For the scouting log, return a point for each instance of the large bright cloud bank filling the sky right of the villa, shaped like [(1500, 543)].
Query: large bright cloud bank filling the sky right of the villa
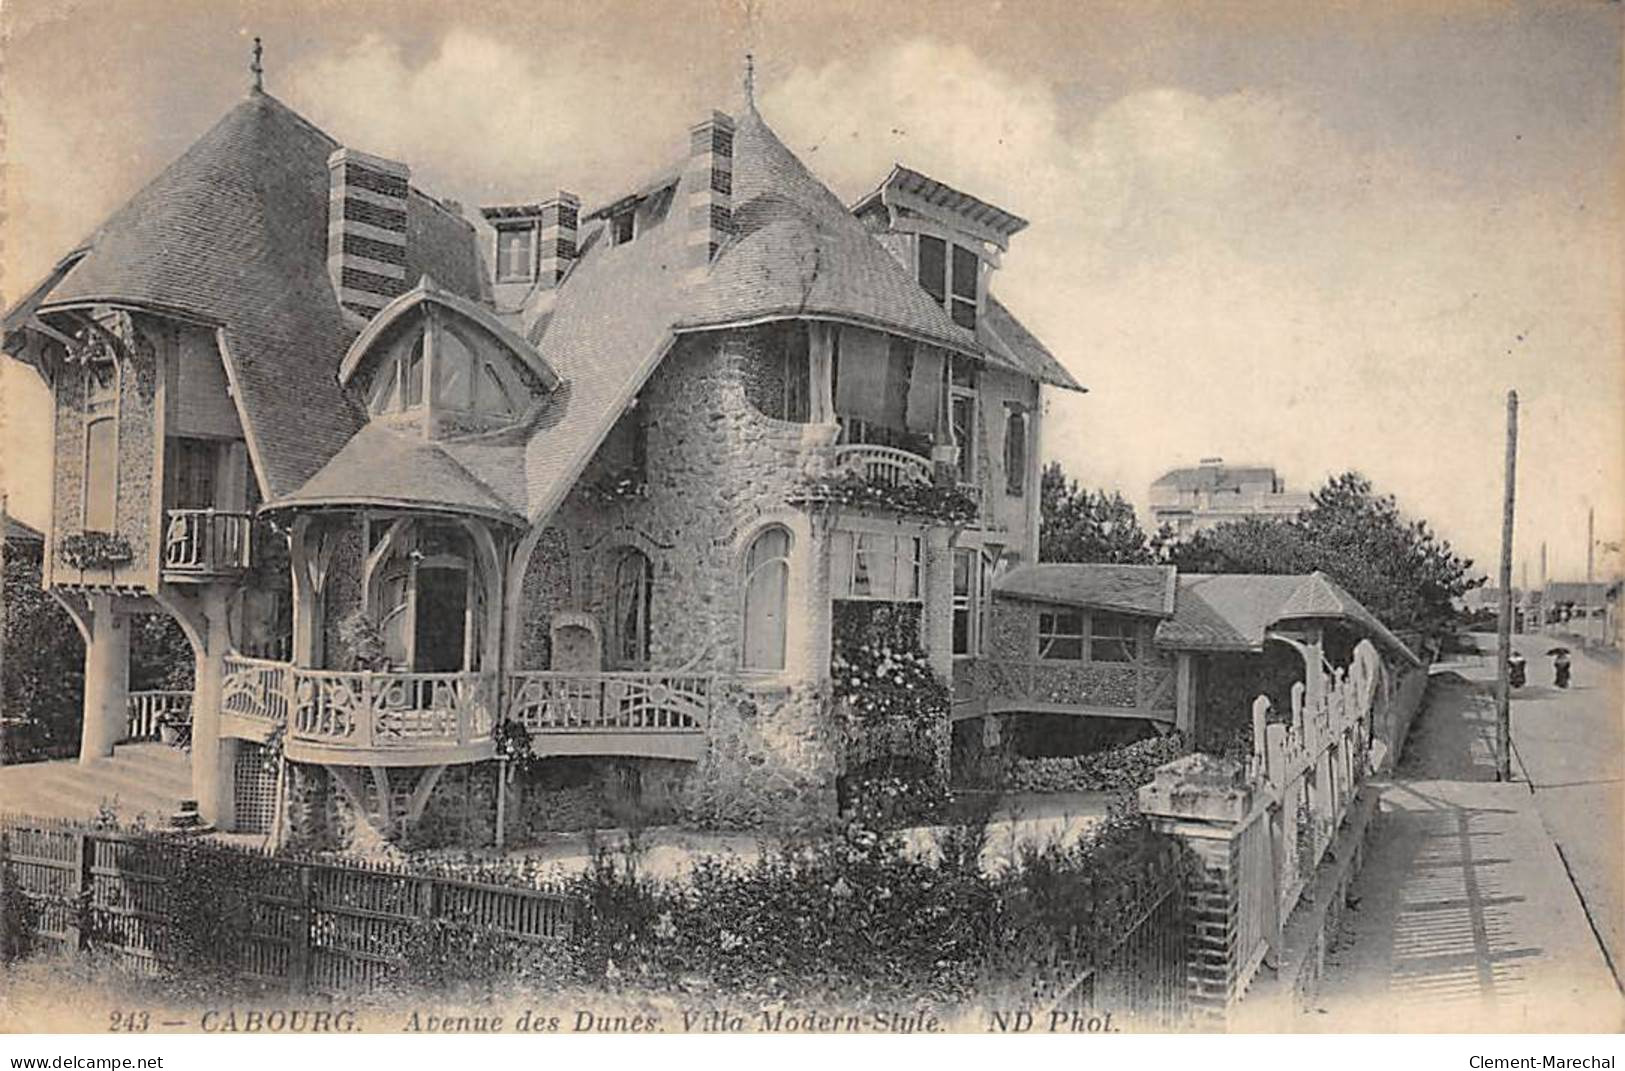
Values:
[(1231, 275)]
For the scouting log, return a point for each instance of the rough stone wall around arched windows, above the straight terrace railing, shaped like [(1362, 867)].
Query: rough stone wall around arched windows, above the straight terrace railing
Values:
[(717, 470)]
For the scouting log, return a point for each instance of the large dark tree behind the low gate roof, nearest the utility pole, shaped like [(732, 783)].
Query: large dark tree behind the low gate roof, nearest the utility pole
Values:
[(1398, 568)]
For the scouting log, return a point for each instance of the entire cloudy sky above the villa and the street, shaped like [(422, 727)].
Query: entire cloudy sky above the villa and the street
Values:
[(1317, 236)]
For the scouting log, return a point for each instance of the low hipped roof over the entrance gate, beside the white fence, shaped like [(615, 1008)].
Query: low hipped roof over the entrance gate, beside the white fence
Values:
[(1234, 612)]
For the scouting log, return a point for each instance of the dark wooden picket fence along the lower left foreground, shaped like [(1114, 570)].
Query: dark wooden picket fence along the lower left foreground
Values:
[(305, 926)]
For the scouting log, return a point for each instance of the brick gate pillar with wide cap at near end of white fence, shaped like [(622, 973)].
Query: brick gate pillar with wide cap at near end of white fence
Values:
[(1208, 805)]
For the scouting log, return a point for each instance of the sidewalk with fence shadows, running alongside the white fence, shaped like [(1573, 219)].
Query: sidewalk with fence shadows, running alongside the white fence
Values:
[(1465, 917)]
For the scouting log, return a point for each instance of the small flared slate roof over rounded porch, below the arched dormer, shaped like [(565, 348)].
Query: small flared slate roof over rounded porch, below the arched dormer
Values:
[(386, 467)]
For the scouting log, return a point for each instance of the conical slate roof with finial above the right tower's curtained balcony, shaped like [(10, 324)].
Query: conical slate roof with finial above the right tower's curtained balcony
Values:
[(799, 251)]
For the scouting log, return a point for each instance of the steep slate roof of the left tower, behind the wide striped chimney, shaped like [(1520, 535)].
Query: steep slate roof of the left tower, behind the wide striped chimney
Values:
[(235, 233)]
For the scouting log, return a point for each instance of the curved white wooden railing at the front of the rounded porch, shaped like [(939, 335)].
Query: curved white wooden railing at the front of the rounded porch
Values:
[(392, 711)]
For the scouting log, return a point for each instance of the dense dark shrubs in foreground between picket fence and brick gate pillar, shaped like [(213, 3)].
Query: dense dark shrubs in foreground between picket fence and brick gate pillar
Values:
[(857, 917)]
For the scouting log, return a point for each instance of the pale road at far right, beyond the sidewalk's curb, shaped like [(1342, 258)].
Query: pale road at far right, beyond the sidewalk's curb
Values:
[(1572, 750)]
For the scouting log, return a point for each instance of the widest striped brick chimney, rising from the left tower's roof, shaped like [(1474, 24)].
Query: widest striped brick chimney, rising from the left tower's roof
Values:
[(366, 230)]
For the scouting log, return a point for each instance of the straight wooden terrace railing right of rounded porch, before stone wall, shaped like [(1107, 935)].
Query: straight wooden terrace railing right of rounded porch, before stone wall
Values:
[(610, 703)]
